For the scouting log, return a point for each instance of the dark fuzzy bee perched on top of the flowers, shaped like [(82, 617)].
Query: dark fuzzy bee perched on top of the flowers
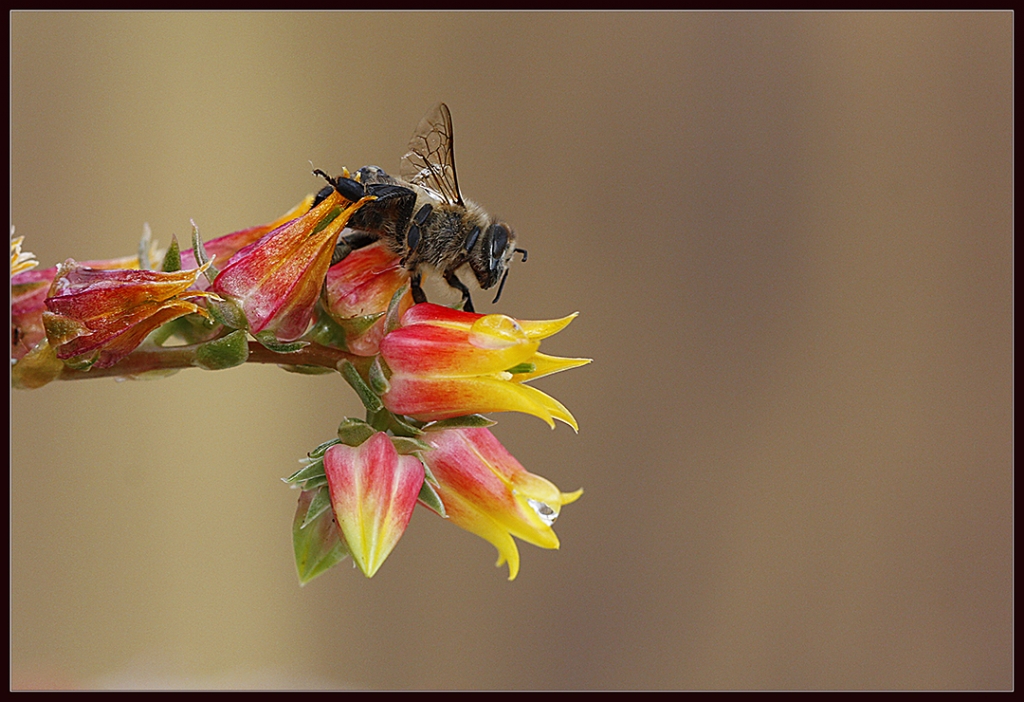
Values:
[(423, 217)]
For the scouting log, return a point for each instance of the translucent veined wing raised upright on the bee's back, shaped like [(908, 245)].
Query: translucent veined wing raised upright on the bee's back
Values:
[(431, 161)]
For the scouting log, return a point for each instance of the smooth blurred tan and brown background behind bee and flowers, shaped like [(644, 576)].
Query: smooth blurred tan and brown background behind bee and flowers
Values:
[(790, 239)]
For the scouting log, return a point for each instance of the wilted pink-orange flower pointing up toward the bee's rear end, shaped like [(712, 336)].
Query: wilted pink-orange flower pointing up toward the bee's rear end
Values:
[(276, 281)]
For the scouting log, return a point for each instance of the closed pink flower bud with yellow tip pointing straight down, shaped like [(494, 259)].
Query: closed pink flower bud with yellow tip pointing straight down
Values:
[(373, 493)]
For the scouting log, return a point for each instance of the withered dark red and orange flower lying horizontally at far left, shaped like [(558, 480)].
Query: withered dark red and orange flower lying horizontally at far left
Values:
[(96, 318)]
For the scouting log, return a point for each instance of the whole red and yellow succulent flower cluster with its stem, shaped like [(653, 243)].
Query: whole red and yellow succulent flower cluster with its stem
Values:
[(426, 374)]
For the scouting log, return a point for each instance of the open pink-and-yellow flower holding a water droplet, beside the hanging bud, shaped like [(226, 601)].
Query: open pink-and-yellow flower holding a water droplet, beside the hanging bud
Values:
[(487, 492)]
